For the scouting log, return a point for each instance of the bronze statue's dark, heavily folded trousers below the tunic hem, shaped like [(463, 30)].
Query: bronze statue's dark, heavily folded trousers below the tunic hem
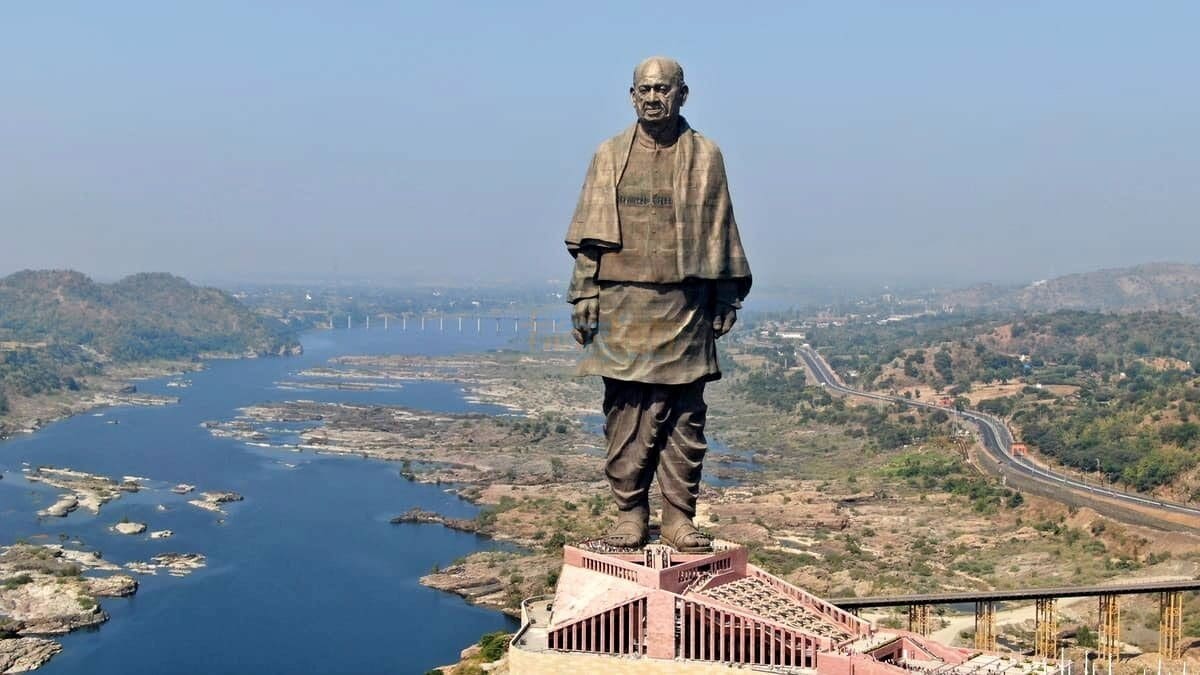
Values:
[(655, 429)]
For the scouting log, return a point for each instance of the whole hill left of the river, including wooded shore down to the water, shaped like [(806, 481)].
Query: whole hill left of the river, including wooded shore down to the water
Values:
[(59, 328)]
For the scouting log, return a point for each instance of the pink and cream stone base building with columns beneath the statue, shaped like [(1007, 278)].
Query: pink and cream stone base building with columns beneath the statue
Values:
[(658, 611)]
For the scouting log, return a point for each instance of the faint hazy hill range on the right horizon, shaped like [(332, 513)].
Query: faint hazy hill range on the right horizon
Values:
[(1147, 288)]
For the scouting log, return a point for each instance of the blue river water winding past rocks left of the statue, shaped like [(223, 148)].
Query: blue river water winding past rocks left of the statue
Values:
[(305, 576)]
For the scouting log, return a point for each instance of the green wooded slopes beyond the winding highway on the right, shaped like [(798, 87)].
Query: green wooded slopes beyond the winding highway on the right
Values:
[(1133, 413)]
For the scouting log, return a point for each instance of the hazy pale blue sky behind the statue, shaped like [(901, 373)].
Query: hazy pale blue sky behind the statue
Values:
[(892, 144)]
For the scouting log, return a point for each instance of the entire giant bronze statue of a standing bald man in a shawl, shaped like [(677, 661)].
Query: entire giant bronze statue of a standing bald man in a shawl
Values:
[(659, 277)]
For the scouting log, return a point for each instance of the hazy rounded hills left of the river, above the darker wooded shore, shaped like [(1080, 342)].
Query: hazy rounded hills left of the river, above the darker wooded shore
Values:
[(145, 316)]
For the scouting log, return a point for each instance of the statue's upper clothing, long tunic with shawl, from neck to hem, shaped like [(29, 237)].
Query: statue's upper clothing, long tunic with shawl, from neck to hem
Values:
[(661, 253)]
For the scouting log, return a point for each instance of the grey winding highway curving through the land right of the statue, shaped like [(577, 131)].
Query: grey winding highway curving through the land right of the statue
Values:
[(998, 444)]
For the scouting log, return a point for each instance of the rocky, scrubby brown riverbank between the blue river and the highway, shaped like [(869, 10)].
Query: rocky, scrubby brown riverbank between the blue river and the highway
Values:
[(817, 509)]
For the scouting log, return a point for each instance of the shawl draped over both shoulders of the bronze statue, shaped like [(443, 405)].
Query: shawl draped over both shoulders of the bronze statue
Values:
[(710, 246)]
